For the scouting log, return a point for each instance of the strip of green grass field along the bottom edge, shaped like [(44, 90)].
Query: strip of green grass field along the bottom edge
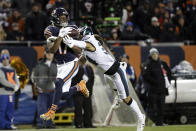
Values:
[(147, 128)]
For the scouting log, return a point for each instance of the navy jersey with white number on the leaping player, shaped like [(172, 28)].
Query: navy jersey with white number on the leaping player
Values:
[(64, 54)]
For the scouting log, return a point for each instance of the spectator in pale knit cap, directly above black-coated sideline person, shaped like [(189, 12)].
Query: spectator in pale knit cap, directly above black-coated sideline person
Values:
[(154, 29)]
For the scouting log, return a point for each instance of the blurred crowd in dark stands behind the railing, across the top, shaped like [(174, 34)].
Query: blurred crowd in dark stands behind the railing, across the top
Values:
[(160, 20)]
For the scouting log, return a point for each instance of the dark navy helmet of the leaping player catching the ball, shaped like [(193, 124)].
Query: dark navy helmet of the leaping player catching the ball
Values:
[(57, 17)]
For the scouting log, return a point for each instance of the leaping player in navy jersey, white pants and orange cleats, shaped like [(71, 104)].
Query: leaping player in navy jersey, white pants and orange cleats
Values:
[(67, 66)]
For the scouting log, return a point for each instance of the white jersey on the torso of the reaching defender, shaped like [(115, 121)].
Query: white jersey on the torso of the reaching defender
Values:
[(100, 56)]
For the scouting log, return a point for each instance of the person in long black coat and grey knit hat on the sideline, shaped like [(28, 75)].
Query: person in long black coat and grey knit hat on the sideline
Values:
[(153, 74)]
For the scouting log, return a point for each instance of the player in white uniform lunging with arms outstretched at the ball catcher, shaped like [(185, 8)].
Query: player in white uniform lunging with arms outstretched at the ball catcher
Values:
[(97, 54)]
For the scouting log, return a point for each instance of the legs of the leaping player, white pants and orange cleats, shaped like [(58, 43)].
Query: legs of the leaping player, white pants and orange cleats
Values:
[(63, 83)]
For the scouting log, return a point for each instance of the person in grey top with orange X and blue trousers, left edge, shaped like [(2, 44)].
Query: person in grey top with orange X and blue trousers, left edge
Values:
[(9, 84)]
